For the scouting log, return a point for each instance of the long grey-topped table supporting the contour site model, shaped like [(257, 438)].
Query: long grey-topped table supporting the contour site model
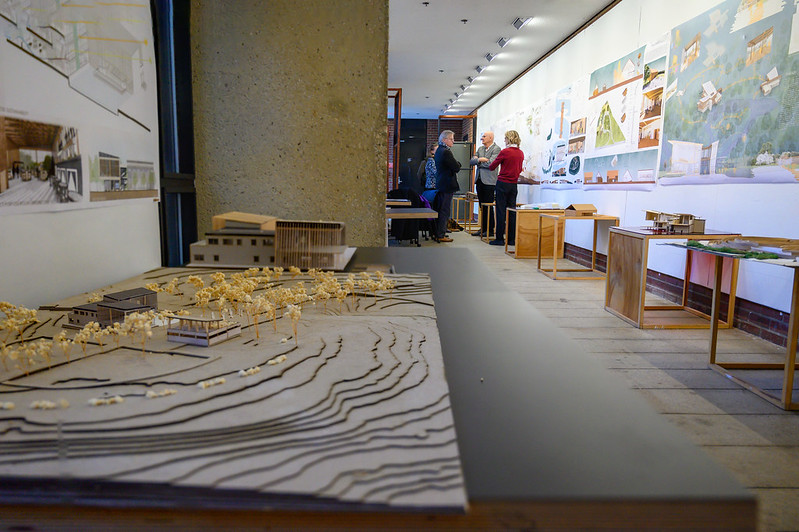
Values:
[(548, 438)]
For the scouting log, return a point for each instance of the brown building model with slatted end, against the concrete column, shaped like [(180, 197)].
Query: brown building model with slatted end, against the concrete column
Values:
[(242, 240)]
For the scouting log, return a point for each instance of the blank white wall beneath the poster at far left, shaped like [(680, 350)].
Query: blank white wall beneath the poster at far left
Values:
[(45, 257)]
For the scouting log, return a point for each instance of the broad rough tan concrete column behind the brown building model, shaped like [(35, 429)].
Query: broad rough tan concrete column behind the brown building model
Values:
[(290, 110)]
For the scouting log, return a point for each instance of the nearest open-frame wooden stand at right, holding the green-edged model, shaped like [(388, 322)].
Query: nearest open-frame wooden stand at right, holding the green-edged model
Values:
[(785, 400)]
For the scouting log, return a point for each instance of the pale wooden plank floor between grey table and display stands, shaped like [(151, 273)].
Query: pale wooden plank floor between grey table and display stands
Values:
[(756, 441)]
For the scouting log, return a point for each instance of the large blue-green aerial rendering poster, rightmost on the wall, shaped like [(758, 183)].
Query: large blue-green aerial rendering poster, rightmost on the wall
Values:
[(731, 108)]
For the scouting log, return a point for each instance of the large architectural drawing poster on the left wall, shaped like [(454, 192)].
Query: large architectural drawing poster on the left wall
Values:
[(78, 105)]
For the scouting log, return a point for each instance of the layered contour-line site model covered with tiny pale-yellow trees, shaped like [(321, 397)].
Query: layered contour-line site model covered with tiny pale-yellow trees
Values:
[(354, 415)]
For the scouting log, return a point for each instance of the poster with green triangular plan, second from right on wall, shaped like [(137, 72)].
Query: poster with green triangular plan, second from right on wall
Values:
[(624, 121)]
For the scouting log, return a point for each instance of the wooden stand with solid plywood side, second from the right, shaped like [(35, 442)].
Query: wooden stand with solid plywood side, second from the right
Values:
[(625, 290)]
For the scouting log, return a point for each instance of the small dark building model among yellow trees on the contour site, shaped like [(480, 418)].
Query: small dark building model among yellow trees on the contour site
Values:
[(113, 308)]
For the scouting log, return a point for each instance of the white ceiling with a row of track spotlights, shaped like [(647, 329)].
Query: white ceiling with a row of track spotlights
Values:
[(432, 51)]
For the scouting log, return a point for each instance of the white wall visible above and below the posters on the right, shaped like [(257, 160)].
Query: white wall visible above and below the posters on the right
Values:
[(756, 209)]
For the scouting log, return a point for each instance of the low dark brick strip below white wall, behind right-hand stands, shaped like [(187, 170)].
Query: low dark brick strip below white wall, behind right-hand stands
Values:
[(758, 320)]
